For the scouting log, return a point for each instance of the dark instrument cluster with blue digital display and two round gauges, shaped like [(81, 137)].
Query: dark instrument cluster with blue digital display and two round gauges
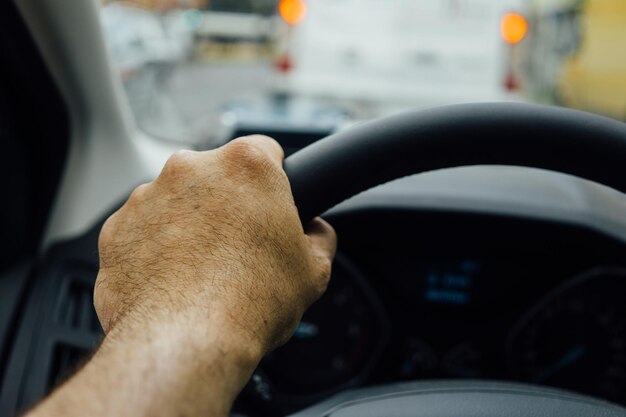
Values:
[(442, 295)]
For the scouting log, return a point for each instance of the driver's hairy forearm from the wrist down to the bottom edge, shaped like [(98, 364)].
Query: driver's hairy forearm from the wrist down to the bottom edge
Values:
[(167, 367)]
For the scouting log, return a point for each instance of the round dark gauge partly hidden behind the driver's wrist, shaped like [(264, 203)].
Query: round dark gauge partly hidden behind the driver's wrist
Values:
[(336, 342)]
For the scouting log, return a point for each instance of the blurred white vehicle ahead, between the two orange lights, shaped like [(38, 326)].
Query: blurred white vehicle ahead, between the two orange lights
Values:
[(417, 52)]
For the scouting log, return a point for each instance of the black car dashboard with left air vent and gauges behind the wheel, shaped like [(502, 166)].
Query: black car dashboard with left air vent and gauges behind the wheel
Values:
[(420, 290)]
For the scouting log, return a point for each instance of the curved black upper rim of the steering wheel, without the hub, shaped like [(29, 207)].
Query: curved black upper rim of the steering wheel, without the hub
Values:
[(557, 139)]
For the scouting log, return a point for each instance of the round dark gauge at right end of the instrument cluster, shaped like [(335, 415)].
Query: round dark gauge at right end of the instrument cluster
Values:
[(576, 337)]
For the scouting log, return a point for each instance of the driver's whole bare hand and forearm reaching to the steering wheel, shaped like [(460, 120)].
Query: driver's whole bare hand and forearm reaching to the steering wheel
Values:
[(202, 271)]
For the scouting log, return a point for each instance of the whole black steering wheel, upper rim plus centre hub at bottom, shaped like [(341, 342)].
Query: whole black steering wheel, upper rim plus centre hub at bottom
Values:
[(342, 165)]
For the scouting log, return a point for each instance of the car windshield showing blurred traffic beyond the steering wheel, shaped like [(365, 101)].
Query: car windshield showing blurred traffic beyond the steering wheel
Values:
[(195, 71)]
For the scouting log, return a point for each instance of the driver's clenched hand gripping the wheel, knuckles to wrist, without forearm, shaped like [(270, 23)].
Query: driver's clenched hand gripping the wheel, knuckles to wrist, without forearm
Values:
[(216, 232)]
